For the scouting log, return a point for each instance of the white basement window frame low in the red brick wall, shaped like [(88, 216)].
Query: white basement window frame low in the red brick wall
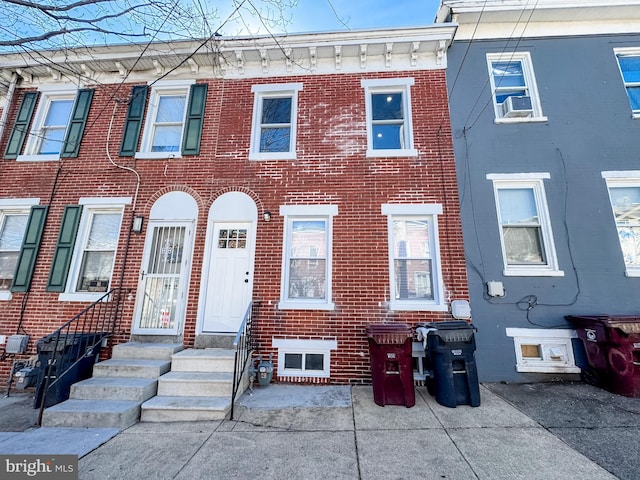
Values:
[(289, 350)]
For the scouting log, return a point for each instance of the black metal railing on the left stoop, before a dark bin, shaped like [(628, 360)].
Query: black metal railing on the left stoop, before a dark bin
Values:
[(76, 340)]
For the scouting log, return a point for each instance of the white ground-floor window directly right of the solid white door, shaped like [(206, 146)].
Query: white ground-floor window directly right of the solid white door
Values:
[(306, 272)]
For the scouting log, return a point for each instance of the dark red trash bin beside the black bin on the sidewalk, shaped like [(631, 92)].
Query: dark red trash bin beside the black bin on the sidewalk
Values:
[(390, 350)]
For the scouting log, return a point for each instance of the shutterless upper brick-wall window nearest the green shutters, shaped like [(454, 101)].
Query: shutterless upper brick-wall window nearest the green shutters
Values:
[(274, 126)]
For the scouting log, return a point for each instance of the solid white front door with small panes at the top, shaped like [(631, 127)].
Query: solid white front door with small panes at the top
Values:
[(230, 281)]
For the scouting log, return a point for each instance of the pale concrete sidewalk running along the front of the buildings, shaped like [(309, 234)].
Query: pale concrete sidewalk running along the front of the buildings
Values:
[(319, 432)]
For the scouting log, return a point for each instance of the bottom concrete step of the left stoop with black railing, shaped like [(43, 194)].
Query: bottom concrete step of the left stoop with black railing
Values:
[(89, 413)]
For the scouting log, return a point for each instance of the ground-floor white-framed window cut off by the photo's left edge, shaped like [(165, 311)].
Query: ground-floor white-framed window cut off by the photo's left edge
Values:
[(14, 215)]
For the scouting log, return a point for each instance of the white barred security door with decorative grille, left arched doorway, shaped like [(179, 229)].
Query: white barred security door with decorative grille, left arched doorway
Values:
[(162, 290)]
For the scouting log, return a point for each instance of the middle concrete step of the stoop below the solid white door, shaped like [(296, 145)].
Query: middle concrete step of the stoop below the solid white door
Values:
[(195, 384)]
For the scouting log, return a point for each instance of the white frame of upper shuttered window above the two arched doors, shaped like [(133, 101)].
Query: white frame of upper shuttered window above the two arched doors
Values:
[(158, 90)]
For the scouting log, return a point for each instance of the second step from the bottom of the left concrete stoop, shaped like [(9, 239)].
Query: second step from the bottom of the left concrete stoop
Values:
[(115, 388)]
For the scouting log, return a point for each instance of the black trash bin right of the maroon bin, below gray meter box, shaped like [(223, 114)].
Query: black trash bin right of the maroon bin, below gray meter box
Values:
[(451, 360)]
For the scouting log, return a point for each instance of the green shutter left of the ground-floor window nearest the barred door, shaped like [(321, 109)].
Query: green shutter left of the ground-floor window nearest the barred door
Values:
[(64, 248)]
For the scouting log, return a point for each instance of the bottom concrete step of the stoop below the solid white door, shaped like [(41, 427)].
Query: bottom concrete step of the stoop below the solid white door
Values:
[(185, 409)]
